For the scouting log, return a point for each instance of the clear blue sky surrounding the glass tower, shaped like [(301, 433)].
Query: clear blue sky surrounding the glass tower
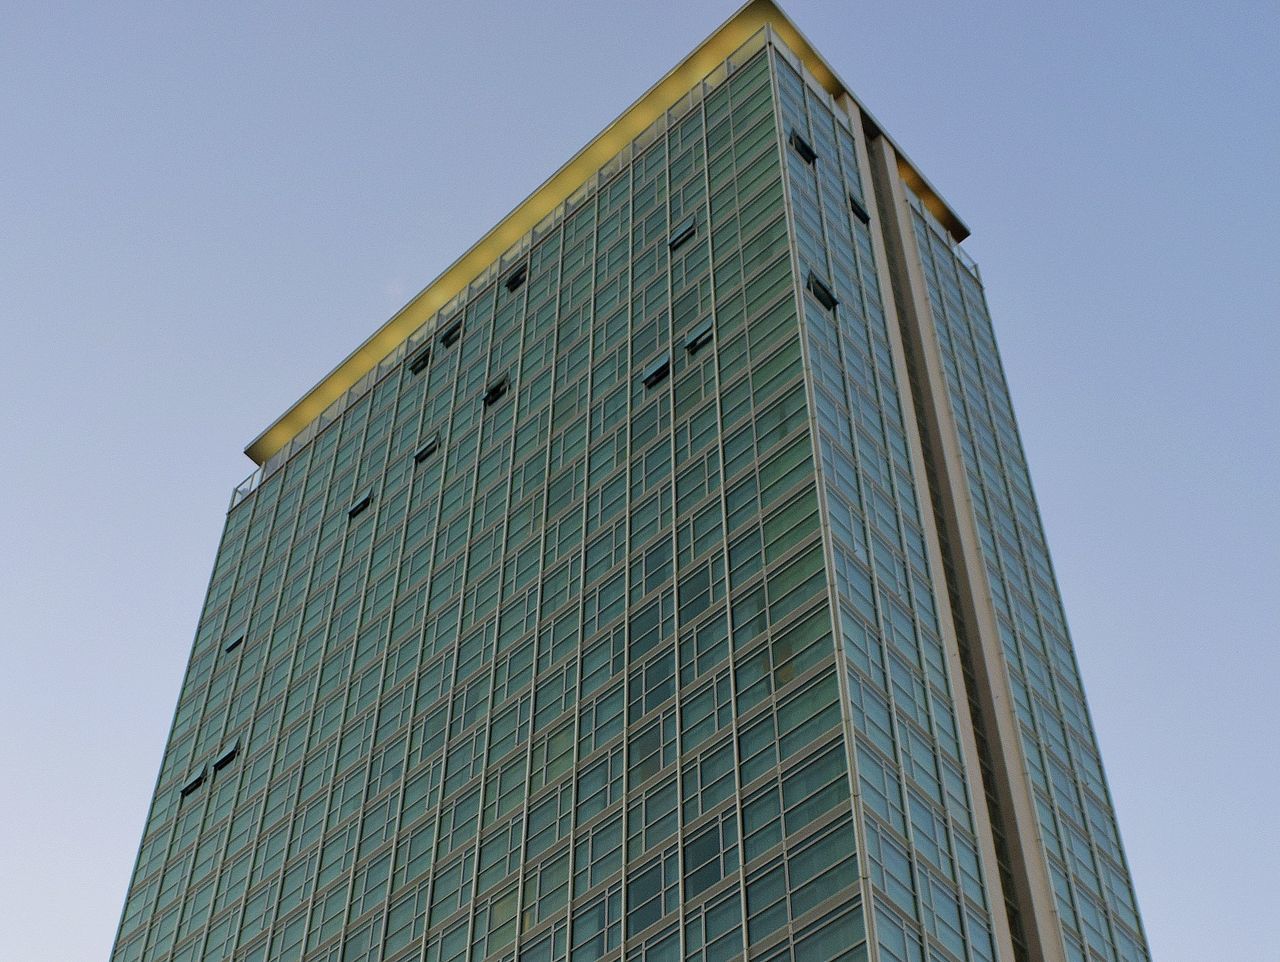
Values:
[(204, 208)]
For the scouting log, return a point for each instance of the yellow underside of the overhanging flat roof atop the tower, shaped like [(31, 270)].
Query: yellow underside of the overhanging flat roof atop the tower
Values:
[(561, 186)]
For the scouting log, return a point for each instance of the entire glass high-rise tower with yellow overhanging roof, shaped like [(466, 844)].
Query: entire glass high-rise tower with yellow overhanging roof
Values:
[(664, 583)]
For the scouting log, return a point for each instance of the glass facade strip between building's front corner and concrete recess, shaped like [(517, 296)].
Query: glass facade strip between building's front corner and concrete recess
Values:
[(915, 800)]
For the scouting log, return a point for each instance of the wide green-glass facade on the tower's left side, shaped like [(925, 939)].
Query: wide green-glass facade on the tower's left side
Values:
[(551, 671)]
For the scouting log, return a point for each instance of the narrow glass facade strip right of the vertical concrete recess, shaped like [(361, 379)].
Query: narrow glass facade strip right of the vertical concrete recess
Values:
[(1078, 828)]
